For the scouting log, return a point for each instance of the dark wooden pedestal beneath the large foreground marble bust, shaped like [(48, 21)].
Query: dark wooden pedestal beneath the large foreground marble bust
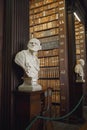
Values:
[(27, 106)]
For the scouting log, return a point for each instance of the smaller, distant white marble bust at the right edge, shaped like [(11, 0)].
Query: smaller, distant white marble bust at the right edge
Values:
[(79, 70)]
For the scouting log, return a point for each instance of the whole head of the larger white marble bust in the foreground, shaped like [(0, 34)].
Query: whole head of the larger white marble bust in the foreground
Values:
[(34, 45)]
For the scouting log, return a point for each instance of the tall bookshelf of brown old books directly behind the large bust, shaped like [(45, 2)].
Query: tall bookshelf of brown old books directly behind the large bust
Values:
[(47, 22)]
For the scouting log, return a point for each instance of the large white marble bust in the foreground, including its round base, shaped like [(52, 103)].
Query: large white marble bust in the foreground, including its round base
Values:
[(28, 60)]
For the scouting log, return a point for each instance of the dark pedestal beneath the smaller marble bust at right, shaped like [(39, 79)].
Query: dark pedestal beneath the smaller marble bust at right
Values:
[(77, 115)]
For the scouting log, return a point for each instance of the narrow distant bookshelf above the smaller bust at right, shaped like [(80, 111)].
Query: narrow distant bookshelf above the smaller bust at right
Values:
[(79, 39)]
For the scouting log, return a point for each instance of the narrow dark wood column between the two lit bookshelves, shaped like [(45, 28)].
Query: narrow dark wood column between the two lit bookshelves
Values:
[(71, 55)]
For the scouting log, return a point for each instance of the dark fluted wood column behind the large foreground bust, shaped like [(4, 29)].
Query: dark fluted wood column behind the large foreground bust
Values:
[(15, 39)]
